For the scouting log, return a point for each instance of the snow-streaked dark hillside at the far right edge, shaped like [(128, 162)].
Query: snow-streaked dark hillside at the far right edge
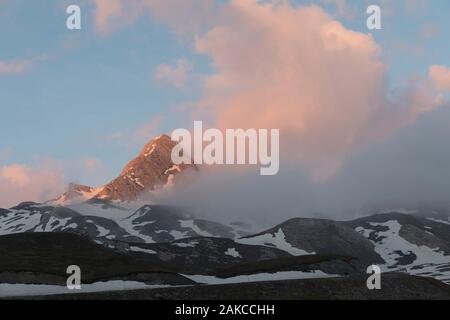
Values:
[(413, 244)]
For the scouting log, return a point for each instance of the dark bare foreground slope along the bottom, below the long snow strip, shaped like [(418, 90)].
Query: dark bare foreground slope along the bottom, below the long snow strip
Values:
[(395, 286)]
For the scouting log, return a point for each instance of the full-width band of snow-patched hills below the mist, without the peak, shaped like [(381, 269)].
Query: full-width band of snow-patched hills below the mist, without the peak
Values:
[(395, 241)]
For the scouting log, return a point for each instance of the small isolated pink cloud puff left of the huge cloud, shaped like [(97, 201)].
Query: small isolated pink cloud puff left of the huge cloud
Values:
[(176, 76)]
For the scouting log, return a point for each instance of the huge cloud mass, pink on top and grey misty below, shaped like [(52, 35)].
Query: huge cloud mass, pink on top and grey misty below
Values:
[(349, 141)]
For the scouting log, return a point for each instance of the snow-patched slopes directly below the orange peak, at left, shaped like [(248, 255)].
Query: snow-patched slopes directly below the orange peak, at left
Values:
[(103, 221)]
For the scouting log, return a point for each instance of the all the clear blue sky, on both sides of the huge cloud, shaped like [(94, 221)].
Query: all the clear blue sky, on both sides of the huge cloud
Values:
[(84, 88)]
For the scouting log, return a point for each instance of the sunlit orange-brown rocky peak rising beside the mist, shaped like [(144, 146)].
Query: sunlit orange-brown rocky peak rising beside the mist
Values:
[(149, 171)]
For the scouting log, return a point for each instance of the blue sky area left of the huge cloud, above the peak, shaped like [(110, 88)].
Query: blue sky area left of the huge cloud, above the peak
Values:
[(74, 97)]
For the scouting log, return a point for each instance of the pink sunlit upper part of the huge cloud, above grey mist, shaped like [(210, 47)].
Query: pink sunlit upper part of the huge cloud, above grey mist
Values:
[(299, 70)]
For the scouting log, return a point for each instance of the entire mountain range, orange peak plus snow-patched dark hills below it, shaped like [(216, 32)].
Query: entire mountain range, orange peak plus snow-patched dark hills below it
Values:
[(115, 234)]
